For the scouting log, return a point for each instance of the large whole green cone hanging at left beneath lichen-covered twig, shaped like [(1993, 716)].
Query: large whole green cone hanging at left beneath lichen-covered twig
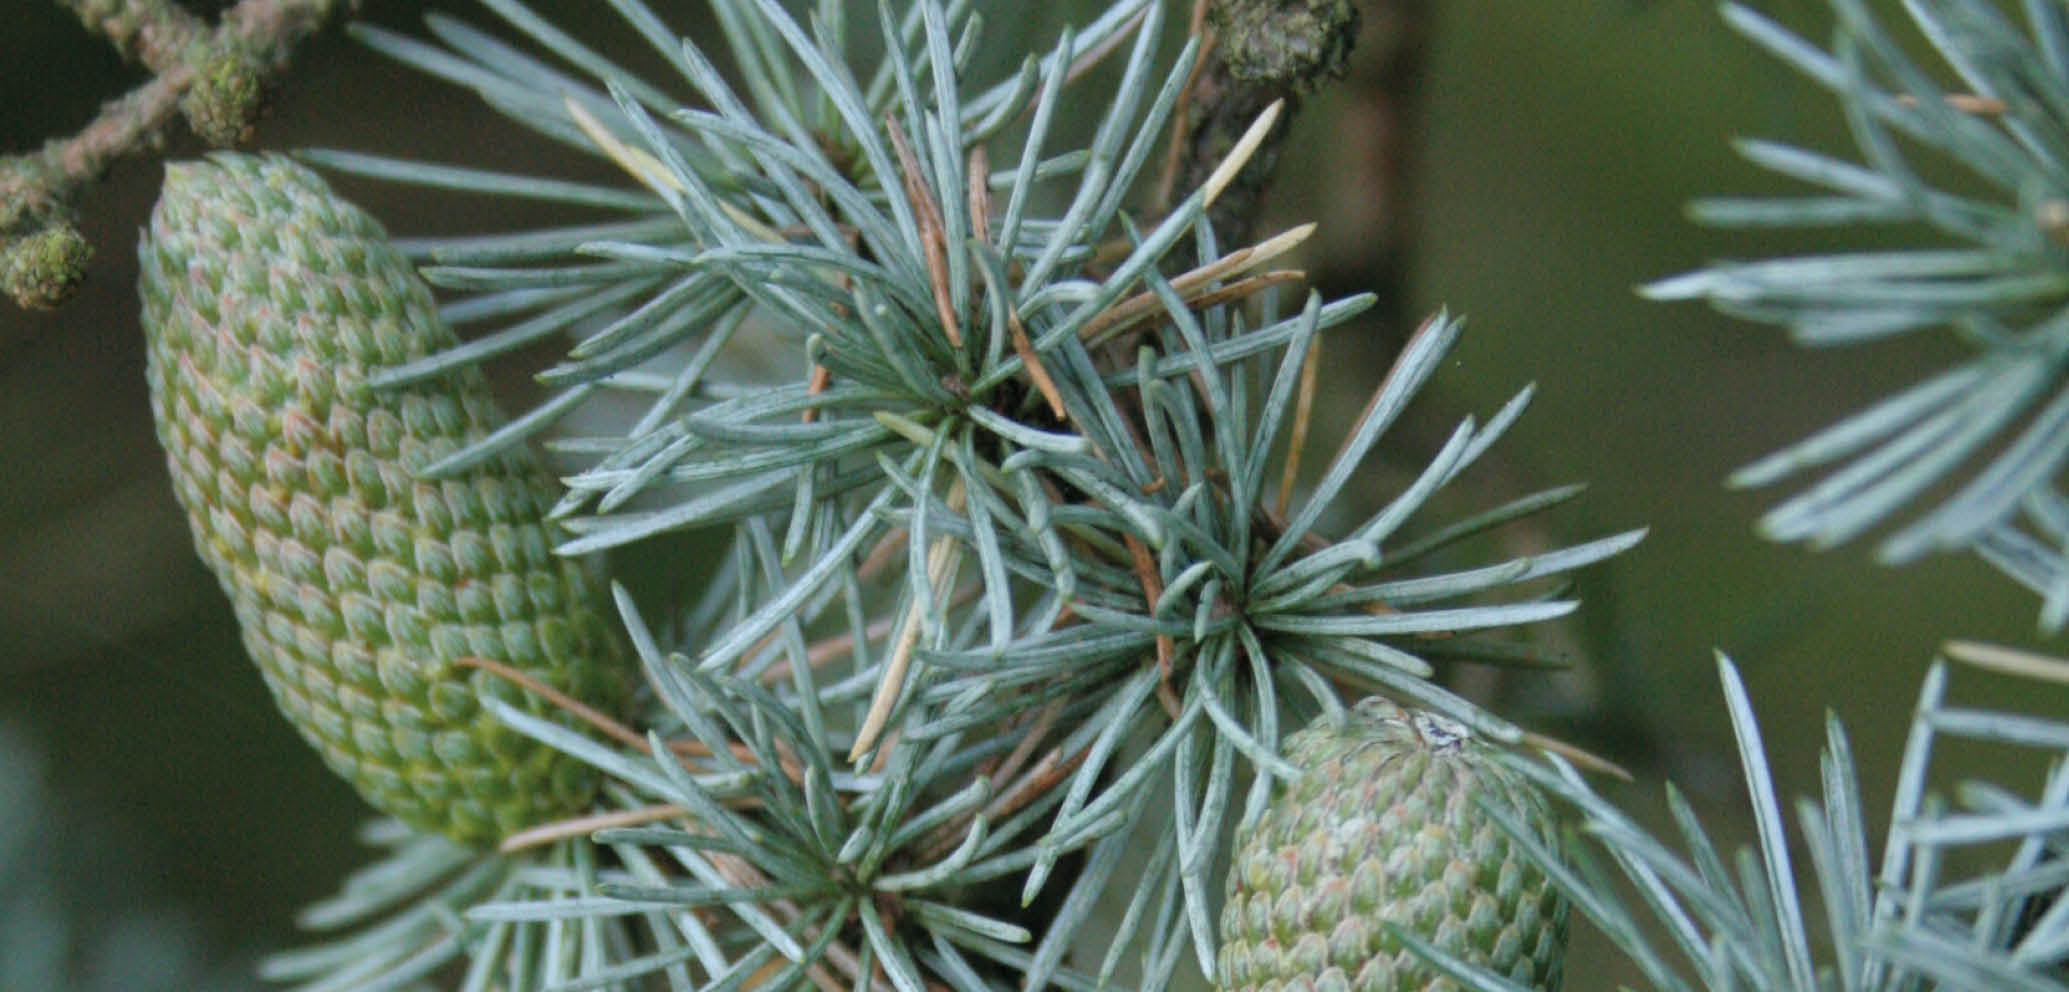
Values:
[(268, 303)]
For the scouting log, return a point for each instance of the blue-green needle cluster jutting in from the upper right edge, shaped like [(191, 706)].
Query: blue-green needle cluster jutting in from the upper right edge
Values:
[(1989, 268)]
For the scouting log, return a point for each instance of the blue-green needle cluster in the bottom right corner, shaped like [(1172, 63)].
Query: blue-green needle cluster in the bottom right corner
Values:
[(1965, 894)]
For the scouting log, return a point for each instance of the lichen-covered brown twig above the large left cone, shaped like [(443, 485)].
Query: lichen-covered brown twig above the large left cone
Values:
[(212, 78)]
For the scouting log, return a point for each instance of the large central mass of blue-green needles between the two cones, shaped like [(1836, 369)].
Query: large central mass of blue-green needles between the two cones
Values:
[(1021, 575)]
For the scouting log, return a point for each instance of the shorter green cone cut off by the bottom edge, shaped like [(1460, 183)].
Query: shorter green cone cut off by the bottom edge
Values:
[(1387, 827)]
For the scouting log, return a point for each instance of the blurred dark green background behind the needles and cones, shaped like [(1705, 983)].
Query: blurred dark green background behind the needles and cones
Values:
[(1555, 152)]
